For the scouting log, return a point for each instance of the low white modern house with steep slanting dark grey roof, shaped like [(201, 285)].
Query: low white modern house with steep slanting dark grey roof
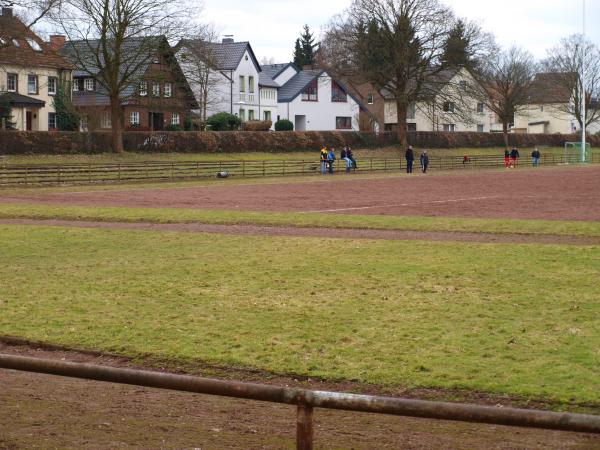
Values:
[(313, 100)]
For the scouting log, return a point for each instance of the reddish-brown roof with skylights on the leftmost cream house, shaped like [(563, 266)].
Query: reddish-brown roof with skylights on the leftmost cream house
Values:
[(12, 31)]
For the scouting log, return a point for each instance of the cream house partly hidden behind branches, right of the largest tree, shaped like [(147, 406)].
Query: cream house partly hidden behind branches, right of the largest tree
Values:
[(452, 110)]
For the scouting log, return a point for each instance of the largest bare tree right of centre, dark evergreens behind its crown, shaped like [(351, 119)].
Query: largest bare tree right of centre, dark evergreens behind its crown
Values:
[(397, 46)]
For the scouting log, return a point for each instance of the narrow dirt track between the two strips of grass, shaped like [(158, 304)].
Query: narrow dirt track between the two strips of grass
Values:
[(337, 233)]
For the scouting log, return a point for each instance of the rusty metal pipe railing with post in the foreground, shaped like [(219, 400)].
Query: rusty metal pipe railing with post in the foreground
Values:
[(307, 400)]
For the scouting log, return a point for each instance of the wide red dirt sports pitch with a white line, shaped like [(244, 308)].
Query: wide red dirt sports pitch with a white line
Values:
[(564, 193)]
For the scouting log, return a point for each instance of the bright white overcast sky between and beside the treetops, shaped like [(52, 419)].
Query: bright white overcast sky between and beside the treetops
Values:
[(272, 26)]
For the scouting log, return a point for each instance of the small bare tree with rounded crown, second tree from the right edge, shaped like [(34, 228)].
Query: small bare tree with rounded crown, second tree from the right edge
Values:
[(504, 84)]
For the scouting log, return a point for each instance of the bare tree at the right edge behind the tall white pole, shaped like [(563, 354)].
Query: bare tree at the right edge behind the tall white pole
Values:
[(570, 60)]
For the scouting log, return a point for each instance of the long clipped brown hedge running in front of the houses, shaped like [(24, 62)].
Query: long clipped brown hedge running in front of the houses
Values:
[(39, 142)]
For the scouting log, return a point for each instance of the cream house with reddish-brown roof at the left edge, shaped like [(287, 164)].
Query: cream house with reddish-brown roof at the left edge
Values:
[(31, 72)]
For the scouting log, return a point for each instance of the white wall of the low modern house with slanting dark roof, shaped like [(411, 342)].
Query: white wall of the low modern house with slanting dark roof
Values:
[(321, 115)]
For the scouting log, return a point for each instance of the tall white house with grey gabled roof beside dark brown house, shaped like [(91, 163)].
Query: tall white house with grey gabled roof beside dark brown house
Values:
[(226, 77)]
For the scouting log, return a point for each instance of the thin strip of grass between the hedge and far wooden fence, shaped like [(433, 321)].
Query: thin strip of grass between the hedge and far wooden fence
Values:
[(389, 152)]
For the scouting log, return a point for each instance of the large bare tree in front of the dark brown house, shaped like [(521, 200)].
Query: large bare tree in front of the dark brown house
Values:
[(114, 40)]
